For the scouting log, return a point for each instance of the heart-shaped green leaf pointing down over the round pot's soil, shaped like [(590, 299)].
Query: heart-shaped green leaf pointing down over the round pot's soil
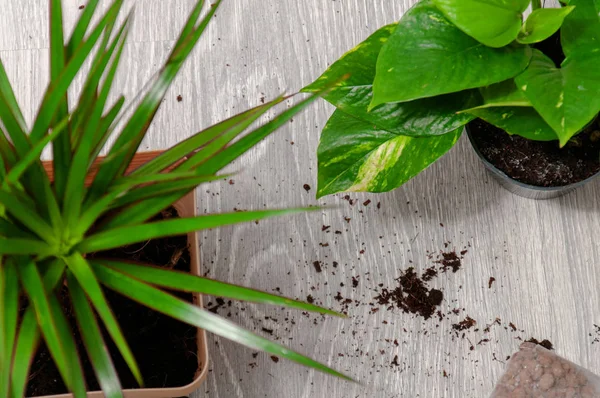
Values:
[(567, 97)]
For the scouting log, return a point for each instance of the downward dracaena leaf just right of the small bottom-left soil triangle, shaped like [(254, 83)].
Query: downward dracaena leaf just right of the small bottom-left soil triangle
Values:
[(32, 283)]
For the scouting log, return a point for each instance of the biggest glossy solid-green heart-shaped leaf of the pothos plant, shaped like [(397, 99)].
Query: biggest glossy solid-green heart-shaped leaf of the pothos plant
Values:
[(426, 56)]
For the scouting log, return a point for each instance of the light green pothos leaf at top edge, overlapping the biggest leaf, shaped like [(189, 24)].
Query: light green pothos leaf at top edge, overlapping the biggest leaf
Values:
[(494, 23)]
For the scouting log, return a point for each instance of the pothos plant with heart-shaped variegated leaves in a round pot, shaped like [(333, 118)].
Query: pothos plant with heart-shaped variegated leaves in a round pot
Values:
[(529, 110)]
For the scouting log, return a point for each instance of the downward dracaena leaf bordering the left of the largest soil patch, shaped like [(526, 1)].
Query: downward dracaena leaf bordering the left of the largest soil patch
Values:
[(85, 276)]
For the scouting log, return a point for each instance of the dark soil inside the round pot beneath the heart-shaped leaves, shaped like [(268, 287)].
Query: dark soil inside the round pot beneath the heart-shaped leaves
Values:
[(539, 163)]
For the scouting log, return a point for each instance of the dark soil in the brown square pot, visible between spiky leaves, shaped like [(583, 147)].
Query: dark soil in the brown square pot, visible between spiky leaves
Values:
[(165, 349)]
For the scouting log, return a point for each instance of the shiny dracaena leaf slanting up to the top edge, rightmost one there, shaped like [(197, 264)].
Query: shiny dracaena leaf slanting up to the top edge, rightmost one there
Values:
[(135, 129)]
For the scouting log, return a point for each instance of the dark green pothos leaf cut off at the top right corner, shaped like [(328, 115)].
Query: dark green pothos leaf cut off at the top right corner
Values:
[(581, 28)]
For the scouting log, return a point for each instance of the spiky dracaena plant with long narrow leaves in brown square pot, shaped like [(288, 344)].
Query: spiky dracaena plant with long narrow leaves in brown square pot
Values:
[(62, 227)]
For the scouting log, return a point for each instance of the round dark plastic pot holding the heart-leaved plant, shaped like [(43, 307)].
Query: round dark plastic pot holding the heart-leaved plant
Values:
[(521, 189)]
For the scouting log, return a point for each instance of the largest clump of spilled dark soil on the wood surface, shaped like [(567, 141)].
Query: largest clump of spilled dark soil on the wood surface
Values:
[(412, 295)]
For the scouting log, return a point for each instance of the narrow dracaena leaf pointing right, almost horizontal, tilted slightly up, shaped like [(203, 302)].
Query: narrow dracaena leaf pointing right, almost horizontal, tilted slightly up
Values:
[(139, 233)]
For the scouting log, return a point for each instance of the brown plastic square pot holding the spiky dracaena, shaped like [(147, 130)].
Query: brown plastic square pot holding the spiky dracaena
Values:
[(186, 207)]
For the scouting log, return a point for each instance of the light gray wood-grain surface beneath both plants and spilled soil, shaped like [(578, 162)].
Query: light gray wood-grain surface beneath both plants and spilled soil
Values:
[(544, 255)]
